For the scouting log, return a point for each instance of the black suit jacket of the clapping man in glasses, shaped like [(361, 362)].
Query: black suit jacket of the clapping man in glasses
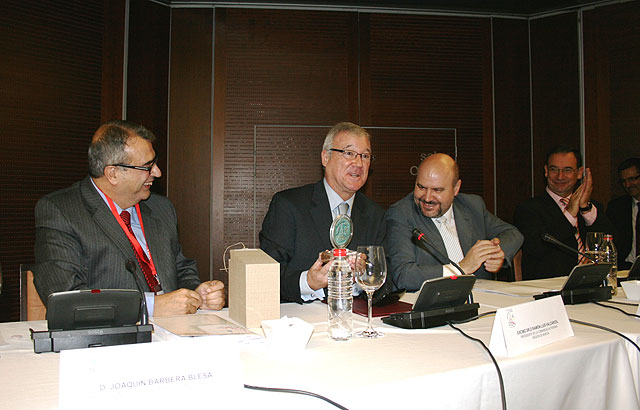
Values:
[(539, 215)]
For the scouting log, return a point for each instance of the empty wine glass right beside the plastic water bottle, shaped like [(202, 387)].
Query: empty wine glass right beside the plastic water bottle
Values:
[(371, 272)]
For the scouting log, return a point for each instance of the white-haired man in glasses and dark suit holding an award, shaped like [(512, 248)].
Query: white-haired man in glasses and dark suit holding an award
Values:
[(295, 230)]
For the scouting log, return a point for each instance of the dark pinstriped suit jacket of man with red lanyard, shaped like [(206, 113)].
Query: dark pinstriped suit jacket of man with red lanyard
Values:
[(79, 244)]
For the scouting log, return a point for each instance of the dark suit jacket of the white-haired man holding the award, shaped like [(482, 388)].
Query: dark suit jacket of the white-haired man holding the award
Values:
[(296, 229)]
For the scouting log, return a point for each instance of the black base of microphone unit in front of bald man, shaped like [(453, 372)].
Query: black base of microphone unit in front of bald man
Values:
[(432, 318)]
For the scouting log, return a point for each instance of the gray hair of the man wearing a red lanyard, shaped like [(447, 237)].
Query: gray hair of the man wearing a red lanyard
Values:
[(109, 142)]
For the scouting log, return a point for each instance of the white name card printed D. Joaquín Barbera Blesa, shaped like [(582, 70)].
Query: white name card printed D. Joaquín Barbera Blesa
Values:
[(175, 374)]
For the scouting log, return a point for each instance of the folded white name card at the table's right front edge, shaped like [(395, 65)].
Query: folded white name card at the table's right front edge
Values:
[(521, 328)]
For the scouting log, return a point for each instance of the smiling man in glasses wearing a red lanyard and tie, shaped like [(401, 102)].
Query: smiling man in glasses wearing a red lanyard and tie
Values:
[(90, 234)]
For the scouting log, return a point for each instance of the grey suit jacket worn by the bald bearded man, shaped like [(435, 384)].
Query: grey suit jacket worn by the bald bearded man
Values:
[(410, 265)]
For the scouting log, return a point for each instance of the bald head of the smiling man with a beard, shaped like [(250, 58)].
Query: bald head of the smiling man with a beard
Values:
[(437, 184)]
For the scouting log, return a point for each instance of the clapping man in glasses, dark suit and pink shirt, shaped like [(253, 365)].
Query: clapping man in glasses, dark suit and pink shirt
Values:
[(563, 211)]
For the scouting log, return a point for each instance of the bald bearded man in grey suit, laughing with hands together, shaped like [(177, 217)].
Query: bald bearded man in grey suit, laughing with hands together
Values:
[(458, 225)]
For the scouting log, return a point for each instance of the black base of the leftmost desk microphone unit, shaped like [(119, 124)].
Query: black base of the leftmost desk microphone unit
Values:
[(57, 340)]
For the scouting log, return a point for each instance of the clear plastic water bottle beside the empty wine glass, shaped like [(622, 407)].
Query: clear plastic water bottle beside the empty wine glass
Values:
[(340, 297)]
